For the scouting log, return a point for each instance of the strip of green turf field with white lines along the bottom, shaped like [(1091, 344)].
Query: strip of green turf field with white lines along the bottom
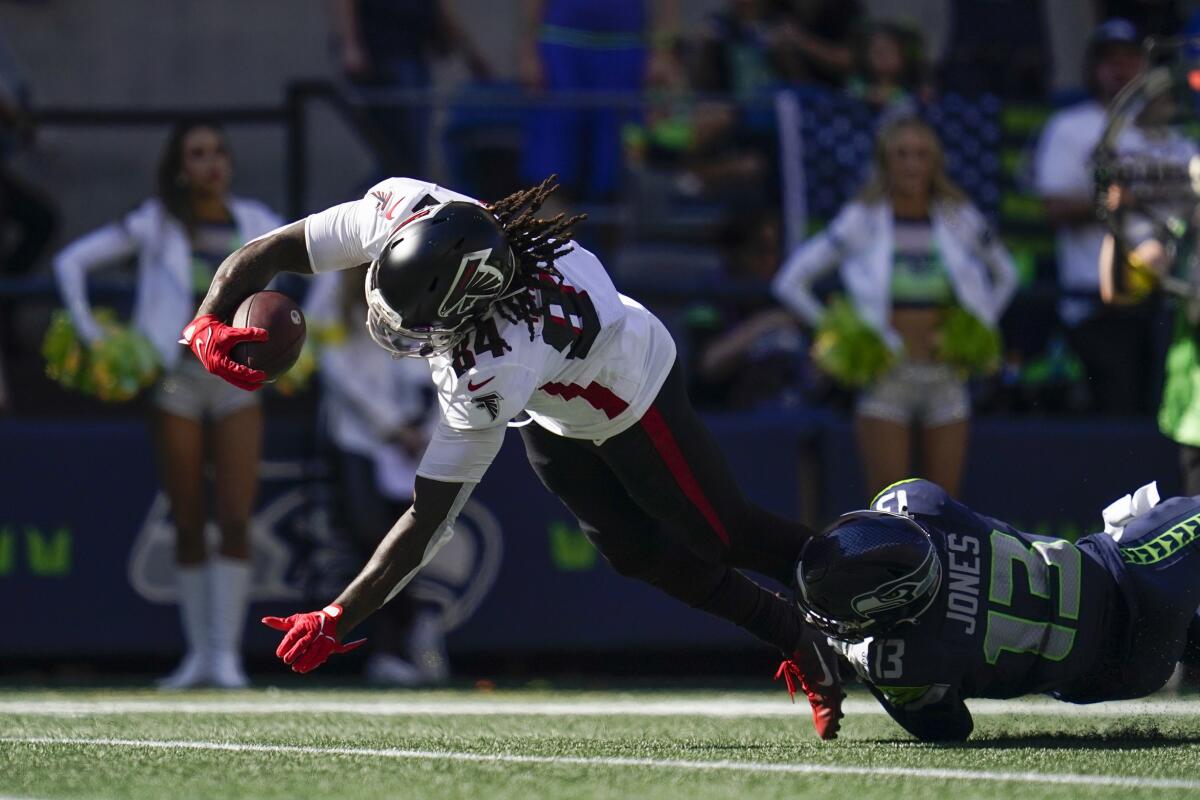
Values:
[(529, 744)]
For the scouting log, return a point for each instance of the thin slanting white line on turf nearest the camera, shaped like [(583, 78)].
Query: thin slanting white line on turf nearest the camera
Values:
[(604, 762)]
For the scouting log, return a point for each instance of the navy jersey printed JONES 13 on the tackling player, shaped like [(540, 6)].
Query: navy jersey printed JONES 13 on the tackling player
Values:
[(1016, 615)]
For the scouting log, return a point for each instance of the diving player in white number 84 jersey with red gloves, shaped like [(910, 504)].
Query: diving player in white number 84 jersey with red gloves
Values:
[(515, 318)]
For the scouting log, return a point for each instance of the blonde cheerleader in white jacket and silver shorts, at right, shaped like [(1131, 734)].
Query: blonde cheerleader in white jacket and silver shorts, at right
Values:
[(910, 248)]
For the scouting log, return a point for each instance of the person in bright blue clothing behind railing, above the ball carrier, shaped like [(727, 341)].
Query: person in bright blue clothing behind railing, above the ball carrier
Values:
[(581, 46)]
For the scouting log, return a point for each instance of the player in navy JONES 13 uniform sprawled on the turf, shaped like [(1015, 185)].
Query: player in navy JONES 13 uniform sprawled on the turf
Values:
[(933, 604)]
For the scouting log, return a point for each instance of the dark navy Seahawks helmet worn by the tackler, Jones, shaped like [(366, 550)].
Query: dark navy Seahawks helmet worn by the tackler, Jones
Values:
[(866, 574)]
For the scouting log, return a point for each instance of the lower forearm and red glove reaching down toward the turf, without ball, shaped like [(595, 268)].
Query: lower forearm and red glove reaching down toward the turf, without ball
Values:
[(309, 640)]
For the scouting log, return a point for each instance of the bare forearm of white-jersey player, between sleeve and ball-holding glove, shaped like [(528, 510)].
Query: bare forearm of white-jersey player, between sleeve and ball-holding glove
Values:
[(250, 268)]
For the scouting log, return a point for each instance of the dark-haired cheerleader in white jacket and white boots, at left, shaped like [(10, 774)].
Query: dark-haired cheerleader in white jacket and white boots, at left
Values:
[(200, 423)]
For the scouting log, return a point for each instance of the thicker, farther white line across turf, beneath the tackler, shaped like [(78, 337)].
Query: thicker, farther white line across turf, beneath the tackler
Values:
[(713, 707)]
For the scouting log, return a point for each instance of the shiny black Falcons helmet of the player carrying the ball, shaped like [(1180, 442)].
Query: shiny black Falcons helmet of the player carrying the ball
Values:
[(440, 272)]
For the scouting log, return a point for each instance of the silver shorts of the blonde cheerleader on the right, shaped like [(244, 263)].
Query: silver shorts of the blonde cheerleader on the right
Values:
[(932, 395)]
